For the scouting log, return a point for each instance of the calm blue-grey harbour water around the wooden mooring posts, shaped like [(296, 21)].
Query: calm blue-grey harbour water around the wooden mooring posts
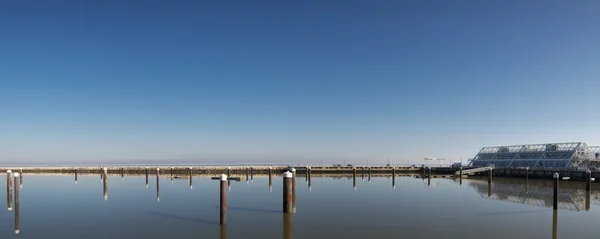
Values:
[(54, 206)]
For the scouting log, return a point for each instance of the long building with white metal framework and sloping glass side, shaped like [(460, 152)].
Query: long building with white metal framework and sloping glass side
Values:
[(574, 155)]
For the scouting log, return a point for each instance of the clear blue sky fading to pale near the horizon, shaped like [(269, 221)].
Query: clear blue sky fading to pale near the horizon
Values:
[(264, 81)]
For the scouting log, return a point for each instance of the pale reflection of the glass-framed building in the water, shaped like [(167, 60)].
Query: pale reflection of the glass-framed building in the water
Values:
[(571, 196)]
